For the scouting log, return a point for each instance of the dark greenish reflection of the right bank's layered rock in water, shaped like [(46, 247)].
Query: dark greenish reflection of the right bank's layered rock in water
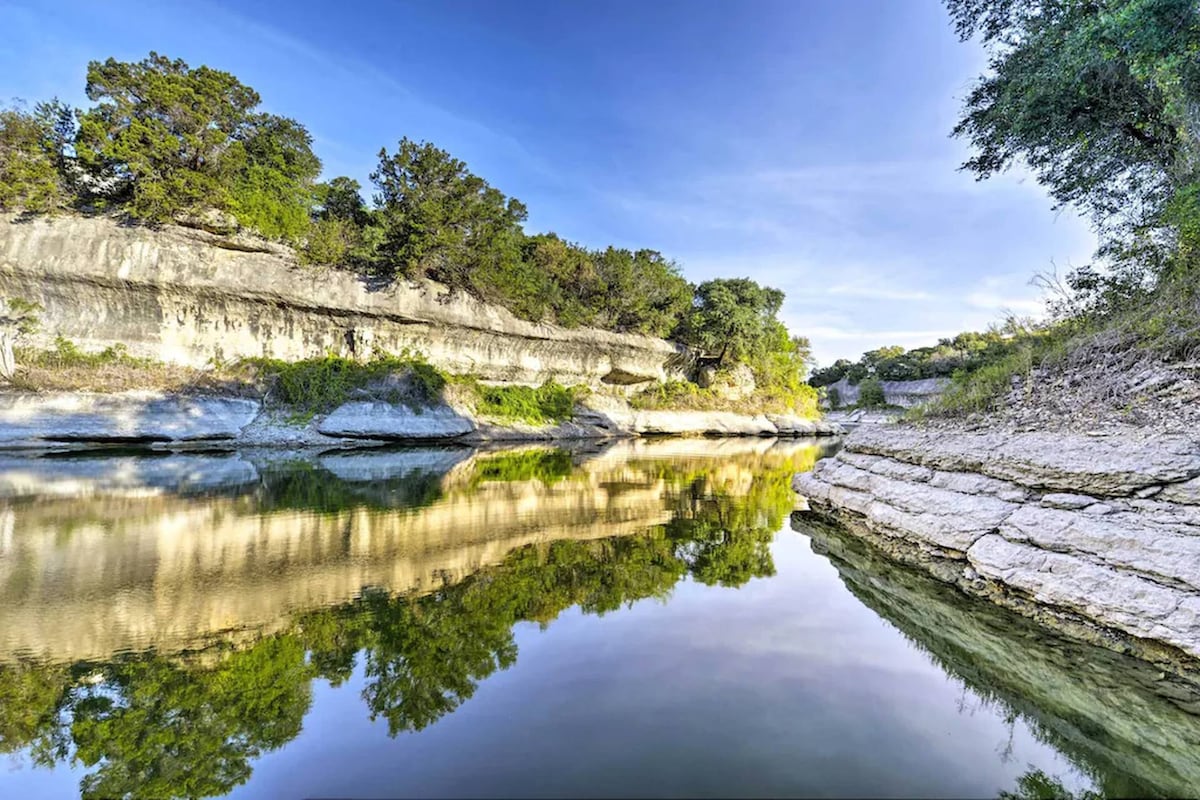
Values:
[(1133, 730)]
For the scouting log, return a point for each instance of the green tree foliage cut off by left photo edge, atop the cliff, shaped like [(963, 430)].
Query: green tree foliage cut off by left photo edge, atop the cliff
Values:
[(32, 169)]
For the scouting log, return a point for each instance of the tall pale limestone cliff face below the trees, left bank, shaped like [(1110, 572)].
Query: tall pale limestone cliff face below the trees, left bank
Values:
[(187, 297)]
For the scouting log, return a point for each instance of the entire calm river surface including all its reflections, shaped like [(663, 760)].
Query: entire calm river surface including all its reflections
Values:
[(645, 619)]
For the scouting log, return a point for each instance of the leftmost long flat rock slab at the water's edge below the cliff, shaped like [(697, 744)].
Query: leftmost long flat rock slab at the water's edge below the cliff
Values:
[(127, 417)]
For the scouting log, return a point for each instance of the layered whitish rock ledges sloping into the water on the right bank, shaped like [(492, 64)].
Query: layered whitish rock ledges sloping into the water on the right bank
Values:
[(1101, 528)]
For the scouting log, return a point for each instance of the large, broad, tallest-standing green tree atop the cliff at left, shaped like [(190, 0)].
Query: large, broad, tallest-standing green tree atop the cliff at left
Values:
[(172, 140)]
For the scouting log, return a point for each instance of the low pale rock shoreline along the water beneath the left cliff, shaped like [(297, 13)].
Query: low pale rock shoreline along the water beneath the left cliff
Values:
[(70, 419)]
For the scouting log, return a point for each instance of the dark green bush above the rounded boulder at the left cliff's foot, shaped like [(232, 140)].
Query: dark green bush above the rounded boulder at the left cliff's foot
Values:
[(319, 386)]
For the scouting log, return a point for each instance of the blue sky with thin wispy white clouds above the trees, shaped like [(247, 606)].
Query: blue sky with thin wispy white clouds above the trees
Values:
[(800, 143)]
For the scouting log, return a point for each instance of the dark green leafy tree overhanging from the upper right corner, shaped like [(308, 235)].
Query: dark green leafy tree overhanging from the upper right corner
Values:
[(1100, 99)]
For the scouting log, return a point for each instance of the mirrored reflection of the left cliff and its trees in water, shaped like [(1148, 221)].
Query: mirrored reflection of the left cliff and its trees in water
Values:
[(164, 618)]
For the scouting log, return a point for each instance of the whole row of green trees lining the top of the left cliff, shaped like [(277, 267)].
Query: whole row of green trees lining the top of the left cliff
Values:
[(165, 142)]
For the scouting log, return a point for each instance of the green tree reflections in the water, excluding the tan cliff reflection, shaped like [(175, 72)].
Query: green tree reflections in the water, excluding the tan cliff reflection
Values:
[(191, 725)]
